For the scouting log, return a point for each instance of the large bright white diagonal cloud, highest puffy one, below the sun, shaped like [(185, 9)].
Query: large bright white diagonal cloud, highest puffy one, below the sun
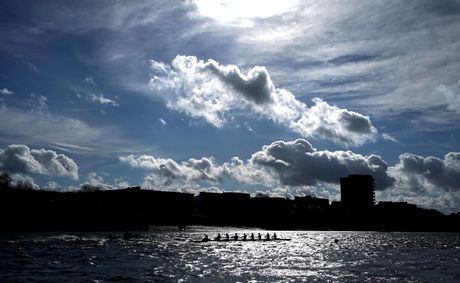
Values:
[(211, 91)]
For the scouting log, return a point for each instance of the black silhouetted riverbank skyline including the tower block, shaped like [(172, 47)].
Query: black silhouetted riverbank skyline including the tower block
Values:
[(24, 209)]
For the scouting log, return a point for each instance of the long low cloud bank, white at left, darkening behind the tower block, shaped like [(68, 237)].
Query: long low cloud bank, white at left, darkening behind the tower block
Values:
[(294, 163)]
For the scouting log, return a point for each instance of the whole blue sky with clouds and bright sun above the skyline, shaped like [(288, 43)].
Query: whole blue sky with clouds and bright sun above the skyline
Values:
[(280, 98)]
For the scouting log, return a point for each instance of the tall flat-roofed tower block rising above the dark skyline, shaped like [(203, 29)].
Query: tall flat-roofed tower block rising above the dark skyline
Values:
[(357, 191)]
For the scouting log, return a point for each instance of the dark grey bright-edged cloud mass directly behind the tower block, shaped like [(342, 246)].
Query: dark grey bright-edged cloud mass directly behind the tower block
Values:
[(297, 163)]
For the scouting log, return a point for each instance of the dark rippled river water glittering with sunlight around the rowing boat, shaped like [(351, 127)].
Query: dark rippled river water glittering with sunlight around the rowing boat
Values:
[(169, 256)]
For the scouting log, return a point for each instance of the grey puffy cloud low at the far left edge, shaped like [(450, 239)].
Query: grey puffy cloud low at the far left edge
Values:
[(18, 158)]
